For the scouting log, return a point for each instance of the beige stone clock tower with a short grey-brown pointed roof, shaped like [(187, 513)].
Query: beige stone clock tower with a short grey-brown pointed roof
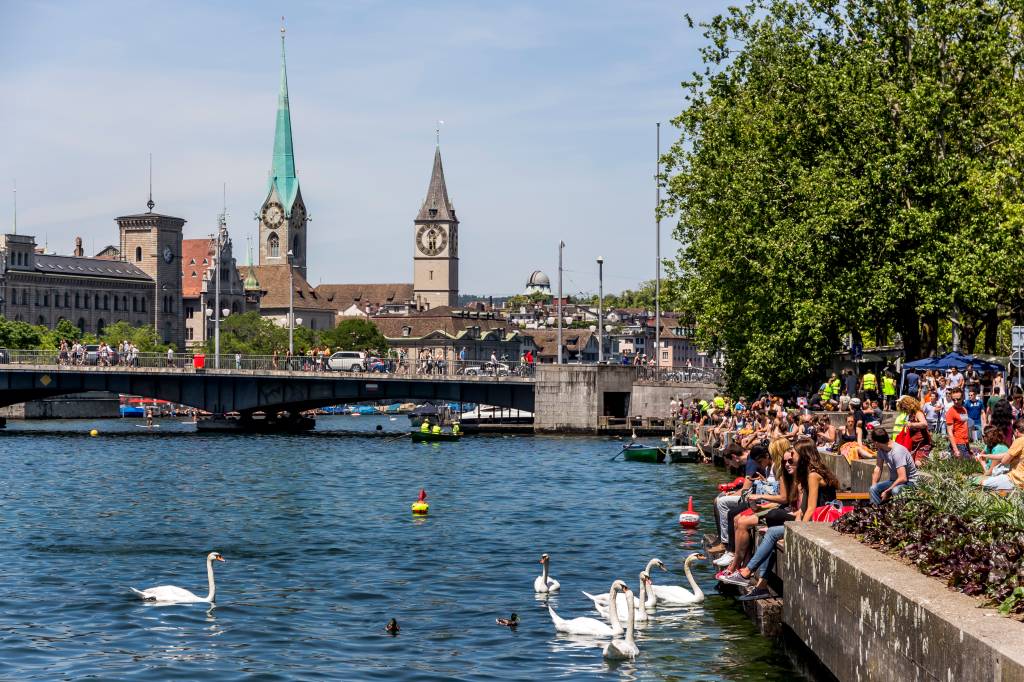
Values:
[(436, 264)]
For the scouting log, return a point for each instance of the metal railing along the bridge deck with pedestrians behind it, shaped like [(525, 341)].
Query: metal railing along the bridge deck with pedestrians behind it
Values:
[(314, 364)]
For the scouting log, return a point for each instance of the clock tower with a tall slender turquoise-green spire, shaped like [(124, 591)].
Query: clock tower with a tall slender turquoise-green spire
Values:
[(283, 218)]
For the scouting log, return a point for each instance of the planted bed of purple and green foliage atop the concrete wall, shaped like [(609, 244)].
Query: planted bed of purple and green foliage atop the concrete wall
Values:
[(952, 530)]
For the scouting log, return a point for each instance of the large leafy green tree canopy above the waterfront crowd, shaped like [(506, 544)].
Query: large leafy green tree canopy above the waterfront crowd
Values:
[(845, 167)]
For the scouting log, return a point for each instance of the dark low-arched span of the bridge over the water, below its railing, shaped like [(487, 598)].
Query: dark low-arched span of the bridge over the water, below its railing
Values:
[(260, 391)]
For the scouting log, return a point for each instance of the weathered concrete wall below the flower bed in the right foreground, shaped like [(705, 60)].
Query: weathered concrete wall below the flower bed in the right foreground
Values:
[(868, 617)]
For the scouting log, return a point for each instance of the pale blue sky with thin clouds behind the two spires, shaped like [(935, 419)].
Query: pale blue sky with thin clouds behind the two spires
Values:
[(549, 112)]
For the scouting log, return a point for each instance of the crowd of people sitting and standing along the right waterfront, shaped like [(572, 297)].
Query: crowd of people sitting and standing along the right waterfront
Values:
[(782, 445)]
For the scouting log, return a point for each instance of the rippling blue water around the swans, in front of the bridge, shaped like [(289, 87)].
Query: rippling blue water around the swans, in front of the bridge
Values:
[(322, 550)]
